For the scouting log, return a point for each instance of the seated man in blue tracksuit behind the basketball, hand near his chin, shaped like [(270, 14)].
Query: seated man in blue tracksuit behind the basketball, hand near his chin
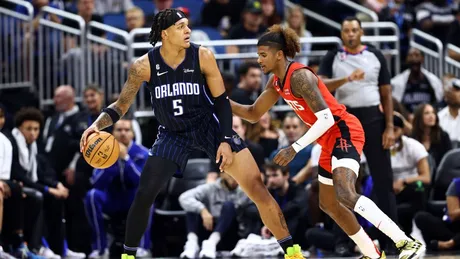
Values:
[(114, 189)]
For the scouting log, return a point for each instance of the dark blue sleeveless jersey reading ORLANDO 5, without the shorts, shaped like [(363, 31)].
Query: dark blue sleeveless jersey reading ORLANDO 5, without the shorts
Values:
[(180, 97)]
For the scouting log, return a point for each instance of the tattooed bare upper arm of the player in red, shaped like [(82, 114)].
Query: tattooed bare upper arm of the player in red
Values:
[(305, 84)]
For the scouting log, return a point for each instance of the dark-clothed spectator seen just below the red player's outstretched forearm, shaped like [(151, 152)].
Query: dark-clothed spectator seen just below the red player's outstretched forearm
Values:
[(265, 134)]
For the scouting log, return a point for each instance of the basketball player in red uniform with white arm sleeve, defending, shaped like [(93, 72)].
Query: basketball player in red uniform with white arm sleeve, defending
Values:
[(339, 133)]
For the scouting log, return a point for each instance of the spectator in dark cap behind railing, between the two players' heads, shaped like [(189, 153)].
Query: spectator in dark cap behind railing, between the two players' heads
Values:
[(250, 28)]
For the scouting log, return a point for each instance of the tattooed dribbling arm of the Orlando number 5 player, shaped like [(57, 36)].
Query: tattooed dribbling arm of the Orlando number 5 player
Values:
[(136, 76)]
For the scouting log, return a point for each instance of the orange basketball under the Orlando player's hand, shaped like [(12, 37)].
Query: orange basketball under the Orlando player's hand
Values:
[(101, 150)]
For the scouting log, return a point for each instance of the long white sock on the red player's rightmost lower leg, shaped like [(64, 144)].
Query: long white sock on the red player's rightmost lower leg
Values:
[(368, 210)]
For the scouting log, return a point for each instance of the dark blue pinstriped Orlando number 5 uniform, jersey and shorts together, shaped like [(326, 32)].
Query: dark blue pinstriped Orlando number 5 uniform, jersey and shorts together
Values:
[(184, 107)]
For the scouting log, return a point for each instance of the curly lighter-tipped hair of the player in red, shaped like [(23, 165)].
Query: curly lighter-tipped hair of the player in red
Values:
[(284, 38)]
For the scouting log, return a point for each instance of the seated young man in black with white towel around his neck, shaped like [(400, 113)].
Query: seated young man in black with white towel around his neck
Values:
[(32, 169)]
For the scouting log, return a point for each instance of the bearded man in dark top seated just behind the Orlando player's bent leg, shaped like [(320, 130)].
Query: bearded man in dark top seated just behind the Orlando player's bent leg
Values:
[(291, 198)]
